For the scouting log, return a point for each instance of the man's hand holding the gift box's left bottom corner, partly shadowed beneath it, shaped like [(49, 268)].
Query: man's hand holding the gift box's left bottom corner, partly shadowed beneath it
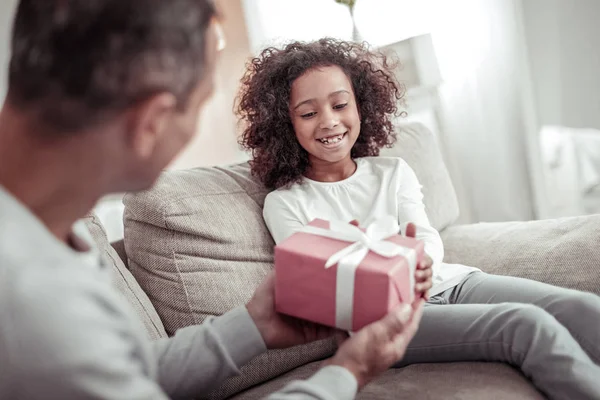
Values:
[(277, 330)]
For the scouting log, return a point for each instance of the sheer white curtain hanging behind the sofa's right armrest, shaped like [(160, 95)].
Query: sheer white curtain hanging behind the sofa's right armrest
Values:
[(485, 117)]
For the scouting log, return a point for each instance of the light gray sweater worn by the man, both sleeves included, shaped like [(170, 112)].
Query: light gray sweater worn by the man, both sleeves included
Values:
[(66, 333)]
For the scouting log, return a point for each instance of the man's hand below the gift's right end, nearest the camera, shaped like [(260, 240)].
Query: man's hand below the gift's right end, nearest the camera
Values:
[(378, 346)]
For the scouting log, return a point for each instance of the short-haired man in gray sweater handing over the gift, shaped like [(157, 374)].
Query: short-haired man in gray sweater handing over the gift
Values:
[(102, 95)]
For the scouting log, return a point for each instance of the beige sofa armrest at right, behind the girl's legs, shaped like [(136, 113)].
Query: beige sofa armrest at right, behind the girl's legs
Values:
[(563, 252)]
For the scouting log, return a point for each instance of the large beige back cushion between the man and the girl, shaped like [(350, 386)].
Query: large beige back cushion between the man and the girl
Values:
[(197, 243)]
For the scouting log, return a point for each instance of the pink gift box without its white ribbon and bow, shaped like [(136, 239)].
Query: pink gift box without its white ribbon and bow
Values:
[(306, 289)]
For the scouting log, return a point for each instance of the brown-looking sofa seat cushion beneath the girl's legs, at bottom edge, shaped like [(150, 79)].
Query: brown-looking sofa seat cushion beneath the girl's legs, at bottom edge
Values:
[(449, 381)]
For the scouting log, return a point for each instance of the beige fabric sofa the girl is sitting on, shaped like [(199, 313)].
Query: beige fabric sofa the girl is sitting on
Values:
[(196, 245)]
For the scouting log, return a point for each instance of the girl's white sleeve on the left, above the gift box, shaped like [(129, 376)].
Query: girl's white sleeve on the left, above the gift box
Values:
[(280, 218)]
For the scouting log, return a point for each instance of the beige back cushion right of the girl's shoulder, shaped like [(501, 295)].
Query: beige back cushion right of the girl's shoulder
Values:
[(418, 147)]
